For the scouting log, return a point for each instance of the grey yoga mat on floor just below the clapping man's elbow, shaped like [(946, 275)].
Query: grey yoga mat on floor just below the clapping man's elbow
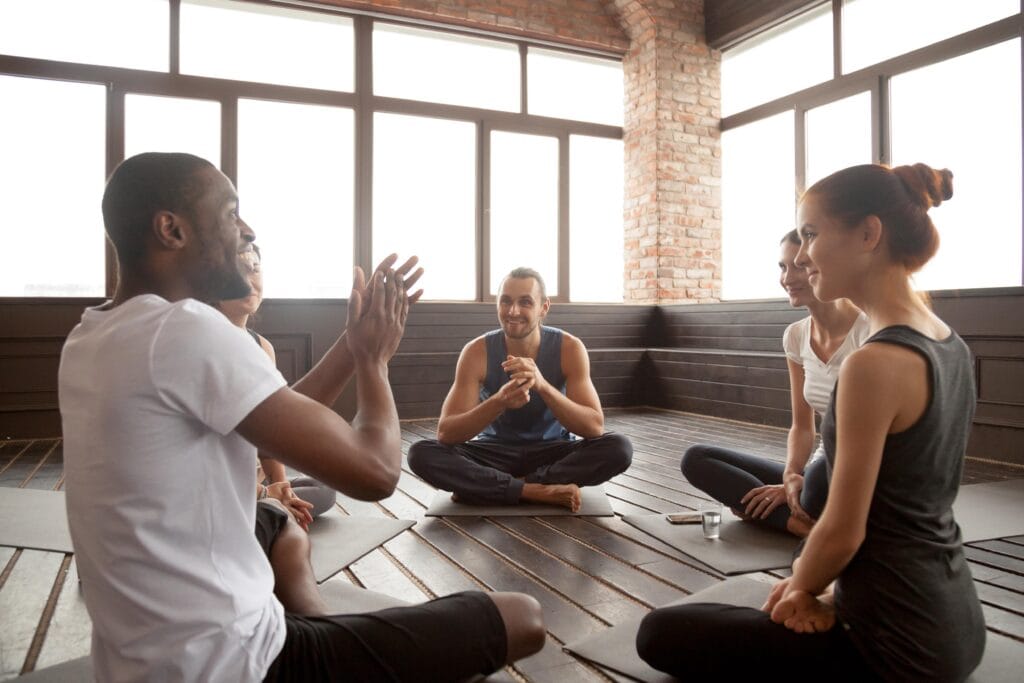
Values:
[(337, 541)]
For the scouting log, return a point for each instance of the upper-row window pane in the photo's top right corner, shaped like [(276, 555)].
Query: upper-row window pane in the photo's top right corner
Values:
[(877, 30)]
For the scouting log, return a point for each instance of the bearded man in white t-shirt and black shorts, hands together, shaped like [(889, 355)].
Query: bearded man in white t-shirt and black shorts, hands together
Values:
[(154, 383)]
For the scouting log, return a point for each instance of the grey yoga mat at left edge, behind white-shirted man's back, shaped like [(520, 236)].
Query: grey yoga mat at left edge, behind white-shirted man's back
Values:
[(36, 520)]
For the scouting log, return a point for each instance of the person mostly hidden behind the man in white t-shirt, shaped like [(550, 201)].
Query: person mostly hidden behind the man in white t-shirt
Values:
[(272, 479)]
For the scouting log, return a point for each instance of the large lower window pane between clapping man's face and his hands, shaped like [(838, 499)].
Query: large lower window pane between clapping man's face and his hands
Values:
[(295, 190)]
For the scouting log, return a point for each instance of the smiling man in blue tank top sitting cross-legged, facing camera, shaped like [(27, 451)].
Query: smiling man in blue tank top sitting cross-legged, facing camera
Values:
[(520, 394)]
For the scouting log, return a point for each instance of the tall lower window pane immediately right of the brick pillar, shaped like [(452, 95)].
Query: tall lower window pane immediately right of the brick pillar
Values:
[(758, 205)]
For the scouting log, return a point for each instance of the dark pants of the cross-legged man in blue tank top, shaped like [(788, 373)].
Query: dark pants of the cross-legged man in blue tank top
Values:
[(488, 472)]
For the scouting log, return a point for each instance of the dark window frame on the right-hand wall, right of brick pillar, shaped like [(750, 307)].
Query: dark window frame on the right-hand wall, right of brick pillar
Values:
[(875, 79)]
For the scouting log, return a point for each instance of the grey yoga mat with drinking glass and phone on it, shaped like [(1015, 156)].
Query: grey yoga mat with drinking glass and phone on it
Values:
[(744, 547)]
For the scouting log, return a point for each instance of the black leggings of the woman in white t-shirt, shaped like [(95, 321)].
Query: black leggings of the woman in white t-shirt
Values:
[(729, 476)]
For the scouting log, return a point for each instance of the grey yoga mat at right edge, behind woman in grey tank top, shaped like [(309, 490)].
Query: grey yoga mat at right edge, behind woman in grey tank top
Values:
[(993, 510)]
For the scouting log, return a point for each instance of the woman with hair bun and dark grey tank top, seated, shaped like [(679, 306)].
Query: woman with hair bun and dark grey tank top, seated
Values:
[(904, 606)]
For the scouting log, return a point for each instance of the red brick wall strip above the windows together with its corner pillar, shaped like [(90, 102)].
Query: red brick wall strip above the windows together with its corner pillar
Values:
[(673, 156)]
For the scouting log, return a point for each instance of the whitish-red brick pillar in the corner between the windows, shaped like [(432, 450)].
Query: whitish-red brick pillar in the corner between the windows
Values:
[(673, 156)]
